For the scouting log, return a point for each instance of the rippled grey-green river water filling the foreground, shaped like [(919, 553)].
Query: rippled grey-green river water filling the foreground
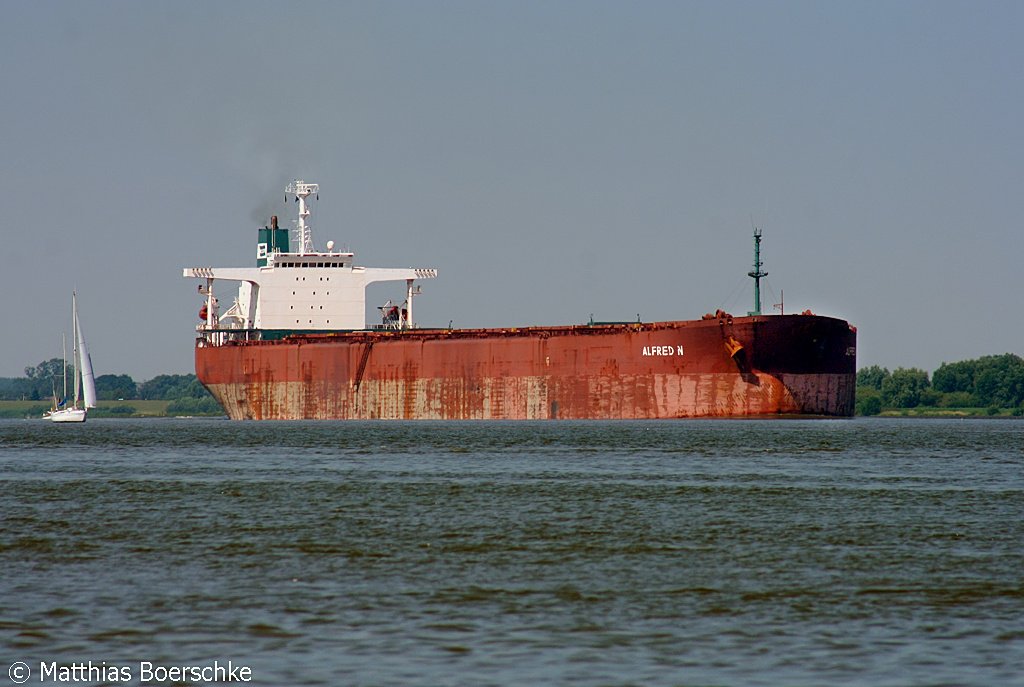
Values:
[(862, 552)]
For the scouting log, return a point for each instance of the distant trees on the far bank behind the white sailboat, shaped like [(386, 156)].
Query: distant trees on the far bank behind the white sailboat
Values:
[(41, 382)]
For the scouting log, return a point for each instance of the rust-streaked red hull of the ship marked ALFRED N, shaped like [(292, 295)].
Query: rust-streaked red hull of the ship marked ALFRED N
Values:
[(726, 368)]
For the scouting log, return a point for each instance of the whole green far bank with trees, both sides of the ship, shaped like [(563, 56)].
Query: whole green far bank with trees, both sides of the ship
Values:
[(992, 387)]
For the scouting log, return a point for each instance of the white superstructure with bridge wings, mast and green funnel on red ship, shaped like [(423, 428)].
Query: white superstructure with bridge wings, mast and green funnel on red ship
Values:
[(308, 290)]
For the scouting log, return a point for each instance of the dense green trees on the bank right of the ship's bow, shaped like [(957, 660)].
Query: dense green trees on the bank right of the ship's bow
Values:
[(992, 382)]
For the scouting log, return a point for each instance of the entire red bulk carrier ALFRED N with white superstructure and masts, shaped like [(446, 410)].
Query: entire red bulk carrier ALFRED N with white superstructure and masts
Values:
[(294, 346)]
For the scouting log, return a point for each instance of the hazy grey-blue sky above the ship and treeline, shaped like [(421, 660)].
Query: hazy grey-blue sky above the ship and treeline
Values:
[(552, 160)]
